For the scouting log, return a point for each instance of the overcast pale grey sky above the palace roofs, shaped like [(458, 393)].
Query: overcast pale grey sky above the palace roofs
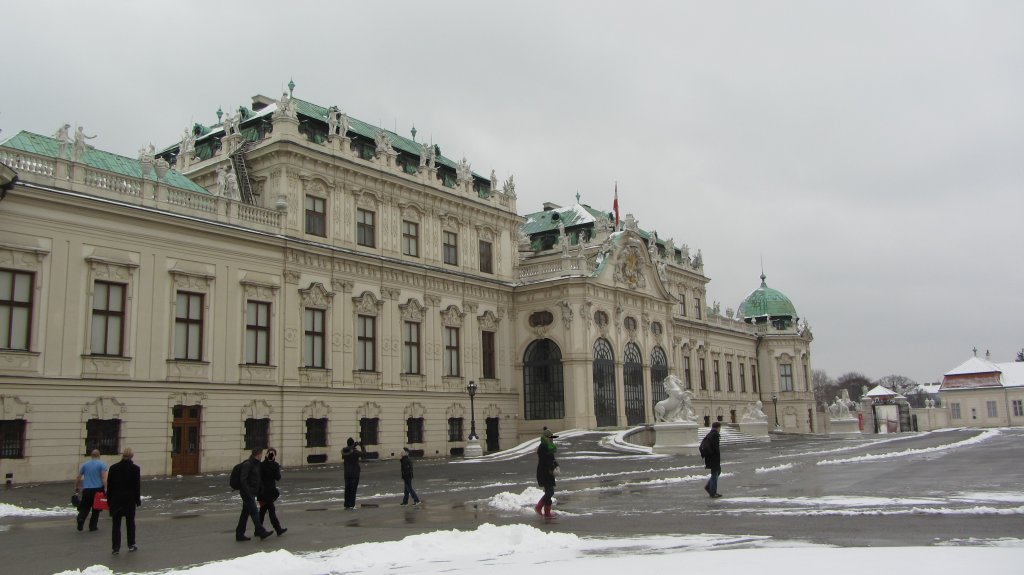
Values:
[(872, 153)]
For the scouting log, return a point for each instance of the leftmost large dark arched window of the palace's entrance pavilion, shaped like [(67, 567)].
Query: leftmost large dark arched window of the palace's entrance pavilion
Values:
[(543, 387)]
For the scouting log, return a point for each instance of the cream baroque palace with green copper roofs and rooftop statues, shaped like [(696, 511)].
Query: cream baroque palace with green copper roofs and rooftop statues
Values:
[(292, 277)]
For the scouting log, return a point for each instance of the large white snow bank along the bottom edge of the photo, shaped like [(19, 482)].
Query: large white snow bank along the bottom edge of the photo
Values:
[(515, 550)]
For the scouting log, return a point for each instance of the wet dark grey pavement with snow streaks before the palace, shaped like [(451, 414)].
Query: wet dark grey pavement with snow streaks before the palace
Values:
[(950, 488)]
